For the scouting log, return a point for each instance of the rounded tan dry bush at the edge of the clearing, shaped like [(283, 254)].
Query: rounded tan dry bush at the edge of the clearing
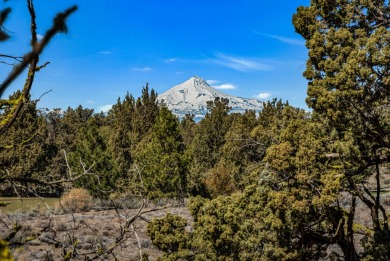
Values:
[(76, 200)]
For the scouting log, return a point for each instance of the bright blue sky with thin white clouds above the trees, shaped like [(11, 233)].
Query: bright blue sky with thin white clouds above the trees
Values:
[(246, 48)]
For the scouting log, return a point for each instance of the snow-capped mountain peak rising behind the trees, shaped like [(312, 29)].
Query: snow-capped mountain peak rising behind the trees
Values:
[(192, 95)]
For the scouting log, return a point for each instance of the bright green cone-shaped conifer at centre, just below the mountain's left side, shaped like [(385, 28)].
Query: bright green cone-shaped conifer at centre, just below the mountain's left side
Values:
[(161, 159)]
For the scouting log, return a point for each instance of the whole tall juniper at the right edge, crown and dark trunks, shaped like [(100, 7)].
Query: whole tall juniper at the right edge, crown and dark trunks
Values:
[(348, 71)]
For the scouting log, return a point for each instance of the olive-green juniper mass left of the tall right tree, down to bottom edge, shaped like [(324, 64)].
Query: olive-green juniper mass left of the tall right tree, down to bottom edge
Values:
[(289, 212)]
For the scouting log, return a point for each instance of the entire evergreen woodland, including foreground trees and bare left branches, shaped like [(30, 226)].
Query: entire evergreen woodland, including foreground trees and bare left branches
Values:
[(283, 184)]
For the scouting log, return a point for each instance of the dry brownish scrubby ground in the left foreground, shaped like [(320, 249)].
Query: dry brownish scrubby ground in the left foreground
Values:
[(87, 235)]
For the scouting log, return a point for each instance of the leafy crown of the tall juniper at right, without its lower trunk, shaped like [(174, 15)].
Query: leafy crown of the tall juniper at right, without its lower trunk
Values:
[(348, 71)]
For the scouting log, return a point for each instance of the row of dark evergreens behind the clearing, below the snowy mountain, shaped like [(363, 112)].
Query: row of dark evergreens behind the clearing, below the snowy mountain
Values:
[(139, 146)]
